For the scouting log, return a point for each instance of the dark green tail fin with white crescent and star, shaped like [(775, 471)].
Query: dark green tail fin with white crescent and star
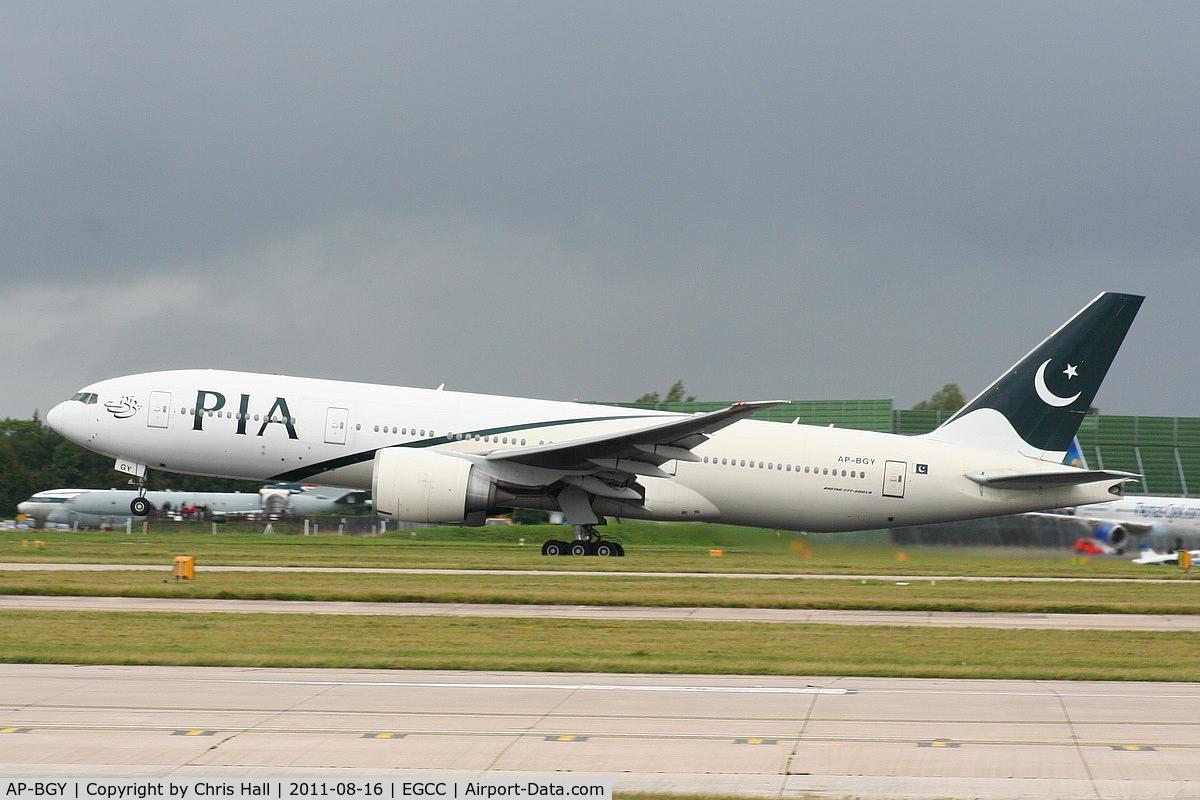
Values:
[(1036, 408)]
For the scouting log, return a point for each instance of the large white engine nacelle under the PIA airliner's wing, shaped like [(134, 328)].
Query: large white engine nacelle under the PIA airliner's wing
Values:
[(430, 486)]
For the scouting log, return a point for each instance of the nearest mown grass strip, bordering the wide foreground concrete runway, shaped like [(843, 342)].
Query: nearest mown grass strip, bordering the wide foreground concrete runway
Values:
[(585, 646)]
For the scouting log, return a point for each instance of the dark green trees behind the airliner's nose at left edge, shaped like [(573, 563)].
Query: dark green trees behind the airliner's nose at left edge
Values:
[(35, 459)]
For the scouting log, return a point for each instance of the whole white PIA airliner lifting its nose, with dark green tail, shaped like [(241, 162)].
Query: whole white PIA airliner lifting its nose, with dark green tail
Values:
[(449, 458)]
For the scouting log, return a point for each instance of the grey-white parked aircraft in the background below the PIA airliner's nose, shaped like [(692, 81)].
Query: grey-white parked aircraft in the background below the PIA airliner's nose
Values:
[(106, 508)]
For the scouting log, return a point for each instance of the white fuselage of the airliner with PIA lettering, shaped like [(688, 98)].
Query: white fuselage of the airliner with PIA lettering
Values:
[(752, 473)]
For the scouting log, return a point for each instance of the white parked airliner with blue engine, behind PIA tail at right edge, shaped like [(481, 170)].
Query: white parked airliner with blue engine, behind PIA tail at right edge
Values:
[(1112, 526)]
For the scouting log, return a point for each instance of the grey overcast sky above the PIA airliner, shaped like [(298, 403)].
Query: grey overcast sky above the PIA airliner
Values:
[(591, 201)]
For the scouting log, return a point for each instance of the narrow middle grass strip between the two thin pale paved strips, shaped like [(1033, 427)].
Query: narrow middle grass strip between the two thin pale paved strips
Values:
[(939, 594)]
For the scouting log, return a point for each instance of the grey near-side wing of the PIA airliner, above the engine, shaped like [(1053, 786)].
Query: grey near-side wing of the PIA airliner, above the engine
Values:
[(638, 452)]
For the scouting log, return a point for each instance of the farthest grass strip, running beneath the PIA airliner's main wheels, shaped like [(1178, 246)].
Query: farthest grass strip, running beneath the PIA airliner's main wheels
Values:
[(651, 548)]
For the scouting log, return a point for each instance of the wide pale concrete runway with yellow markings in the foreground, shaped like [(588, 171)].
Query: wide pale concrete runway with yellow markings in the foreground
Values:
[(765, 737)]
